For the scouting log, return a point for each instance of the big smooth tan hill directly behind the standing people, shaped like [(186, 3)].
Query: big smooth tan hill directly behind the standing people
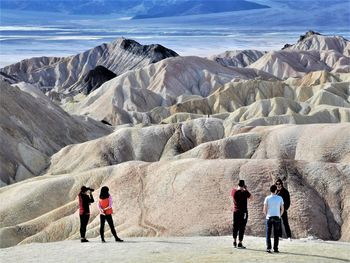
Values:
[(319, 198)]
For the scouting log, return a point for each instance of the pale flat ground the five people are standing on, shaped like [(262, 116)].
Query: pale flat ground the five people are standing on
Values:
[(178, 249)]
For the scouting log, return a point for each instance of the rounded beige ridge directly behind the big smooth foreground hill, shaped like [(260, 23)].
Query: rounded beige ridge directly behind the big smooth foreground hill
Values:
[(208, 138)]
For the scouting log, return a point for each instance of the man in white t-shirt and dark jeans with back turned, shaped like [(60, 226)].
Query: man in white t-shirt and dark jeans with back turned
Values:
[(273, 209)]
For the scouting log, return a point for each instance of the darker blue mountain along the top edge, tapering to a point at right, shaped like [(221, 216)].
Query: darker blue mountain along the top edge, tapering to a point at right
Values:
[(134, 8)]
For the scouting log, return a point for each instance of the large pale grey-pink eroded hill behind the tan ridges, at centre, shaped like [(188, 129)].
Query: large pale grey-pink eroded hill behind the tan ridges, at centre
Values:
[(170, 82)]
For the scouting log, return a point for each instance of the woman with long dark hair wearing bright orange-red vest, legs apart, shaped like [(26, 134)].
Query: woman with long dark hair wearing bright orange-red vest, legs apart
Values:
[(106, 211)]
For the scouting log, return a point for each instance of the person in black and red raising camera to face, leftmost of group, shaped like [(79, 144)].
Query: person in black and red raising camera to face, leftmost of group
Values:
[(85, 199)]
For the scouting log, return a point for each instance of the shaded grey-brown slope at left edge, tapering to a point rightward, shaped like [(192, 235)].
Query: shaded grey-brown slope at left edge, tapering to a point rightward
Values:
[(33, 128)]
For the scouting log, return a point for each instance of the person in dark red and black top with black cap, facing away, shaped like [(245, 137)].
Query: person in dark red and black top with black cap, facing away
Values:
[(240, 195)]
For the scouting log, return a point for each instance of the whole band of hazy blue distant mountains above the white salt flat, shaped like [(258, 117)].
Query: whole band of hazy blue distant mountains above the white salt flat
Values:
[(233, 13)]
